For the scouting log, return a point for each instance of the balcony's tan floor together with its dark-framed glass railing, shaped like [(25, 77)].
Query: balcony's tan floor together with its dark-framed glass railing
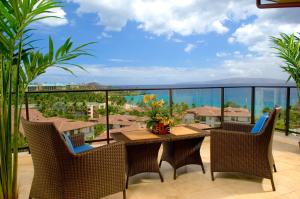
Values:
[(208, 108)]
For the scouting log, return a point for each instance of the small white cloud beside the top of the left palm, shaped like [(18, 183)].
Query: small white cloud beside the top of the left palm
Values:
[(59, 20)]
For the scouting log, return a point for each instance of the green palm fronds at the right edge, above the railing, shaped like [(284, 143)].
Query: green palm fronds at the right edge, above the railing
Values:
[(288, 49)]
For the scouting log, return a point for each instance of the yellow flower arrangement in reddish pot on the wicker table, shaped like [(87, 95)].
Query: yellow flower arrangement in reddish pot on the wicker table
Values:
[(159, 118)]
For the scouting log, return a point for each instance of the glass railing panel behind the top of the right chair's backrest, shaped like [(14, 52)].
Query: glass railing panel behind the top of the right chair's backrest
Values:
[(266, 99)]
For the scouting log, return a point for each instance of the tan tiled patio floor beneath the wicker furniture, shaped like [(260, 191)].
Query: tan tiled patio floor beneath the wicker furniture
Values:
[(192, 183)]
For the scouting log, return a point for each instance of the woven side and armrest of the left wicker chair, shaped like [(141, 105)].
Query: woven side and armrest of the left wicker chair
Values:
[(99, 171)]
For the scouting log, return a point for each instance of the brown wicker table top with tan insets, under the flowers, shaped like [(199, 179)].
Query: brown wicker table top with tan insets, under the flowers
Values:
[(121, 136)]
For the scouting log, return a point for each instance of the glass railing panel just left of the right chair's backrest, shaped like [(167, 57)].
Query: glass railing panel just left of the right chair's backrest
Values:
[(237, 105)]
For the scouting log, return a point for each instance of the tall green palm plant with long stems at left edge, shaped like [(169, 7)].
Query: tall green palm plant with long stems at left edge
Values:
[(20, 64)]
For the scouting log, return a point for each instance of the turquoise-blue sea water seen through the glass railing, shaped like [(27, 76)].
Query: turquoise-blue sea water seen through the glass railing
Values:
[(264, 97)]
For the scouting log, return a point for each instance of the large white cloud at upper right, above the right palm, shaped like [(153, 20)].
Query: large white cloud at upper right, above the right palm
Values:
[(256, 35)]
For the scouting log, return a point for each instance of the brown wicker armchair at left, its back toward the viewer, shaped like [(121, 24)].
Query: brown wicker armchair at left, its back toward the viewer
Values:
[(60, 174)]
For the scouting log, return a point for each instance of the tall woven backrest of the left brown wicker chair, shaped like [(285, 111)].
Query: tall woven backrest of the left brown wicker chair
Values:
[(47, 150)]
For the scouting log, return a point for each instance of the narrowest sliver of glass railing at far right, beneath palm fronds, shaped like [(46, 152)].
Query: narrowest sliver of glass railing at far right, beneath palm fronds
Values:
[(295, 111)]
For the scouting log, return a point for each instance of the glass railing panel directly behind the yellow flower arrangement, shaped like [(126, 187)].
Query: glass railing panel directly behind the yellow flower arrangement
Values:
[(129, 110)]
